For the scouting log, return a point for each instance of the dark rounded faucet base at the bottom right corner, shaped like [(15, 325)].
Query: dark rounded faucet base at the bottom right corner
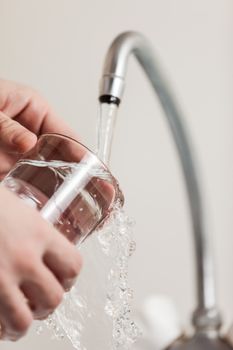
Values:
[(201, 342)]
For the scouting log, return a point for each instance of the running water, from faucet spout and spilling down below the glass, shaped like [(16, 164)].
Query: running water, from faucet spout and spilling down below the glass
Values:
[(96, 313)]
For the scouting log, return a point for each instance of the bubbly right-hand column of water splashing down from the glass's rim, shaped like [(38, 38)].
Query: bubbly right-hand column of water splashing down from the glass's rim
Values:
[(116, 240)]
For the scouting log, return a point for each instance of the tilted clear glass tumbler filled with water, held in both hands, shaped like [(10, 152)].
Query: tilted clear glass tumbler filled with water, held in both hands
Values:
[(67, 183)]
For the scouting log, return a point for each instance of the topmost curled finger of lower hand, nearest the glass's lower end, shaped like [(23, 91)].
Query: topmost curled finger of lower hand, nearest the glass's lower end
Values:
[(64, 260)]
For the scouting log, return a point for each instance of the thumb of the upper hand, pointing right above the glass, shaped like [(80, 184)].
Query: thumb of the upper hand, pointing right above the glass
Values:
[(13, 136)]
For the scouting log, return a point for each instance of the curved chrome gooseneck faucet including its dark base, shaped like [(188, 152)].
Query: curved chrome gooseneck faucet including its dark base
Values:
[(206, 318)]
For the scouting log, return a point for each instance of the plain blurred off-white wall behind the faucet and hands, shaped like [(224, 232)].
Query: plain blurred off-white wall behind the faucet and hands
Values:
[(58, 47)]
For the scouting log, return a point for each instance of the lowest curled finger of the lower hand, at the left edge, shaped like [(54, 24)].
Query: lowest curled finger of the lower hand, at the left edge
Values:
[(16, 317)]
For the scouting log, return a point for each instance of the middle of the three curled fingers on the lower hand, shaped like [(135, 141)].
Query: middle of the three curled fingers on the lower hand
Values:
[(43, 291)]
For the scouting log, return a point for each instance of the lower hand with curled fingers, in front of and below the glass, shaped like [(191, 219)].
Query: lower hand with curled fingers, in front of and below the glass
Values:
[(37, 264)]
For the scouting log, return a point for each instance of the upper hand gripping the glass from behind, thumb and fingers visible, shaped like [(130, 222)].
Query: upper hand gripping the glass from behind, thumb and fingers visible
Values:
[(24, 115)]
